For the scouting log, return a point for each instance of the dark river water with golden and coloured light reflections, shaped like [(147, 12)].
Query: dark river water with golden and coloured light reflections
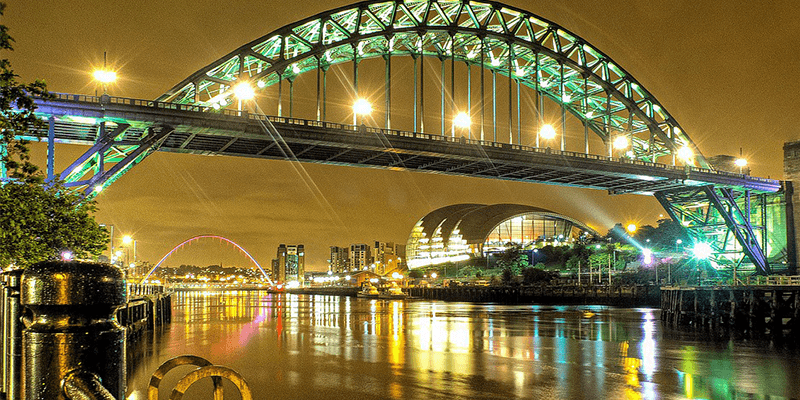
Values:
[(325, 347)]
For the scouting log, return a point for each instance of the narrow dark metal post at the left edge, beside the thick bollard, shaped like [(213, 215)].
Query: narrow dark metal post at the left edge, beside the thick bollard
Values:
[(12, 335)]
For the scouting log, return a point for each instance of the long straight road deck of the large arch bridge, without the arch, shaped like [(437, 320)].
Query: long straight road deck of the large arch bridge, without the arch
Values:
[(198, 130)]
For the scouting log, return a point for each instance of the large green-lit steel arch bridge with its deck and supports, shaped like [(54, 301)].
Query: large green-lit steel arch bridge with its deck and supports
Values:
[(741, 217)]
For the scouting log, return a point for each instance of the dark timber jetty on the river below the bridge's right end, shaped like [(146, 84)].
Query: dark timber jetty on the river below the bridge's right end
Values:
[(769, 307)]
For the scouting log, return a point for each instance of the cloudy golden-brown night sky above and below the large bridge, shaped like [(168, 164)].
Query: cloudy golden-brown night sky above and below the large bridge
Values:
[(728, 74)]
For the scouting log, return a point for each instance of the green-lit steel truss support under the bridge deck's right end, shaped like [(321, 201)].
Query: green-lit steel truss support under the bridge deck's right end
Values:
[(722, 218)]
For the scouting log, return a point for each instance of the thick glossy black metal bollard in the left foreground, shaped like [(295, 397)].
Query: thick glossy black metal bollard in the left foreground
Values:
[(74, 330)]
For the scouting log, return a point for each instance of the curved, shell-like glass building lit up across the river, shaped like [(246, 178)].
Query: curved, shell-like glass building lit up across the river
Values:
[(460, 231)]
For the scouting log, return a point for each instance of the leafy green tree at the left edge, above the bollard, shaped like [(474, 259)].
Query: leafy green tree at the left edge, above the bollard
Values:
[(37, 222)]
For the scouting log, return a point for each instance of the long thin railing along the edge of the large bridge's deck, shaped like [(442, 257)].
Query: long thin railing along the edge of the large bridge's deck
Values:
[(393, 132)]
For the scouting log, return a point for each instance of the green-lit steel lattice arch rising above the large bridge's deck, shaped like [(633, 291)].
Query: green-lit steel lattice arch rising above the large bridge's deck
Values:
[(508, 41)]
